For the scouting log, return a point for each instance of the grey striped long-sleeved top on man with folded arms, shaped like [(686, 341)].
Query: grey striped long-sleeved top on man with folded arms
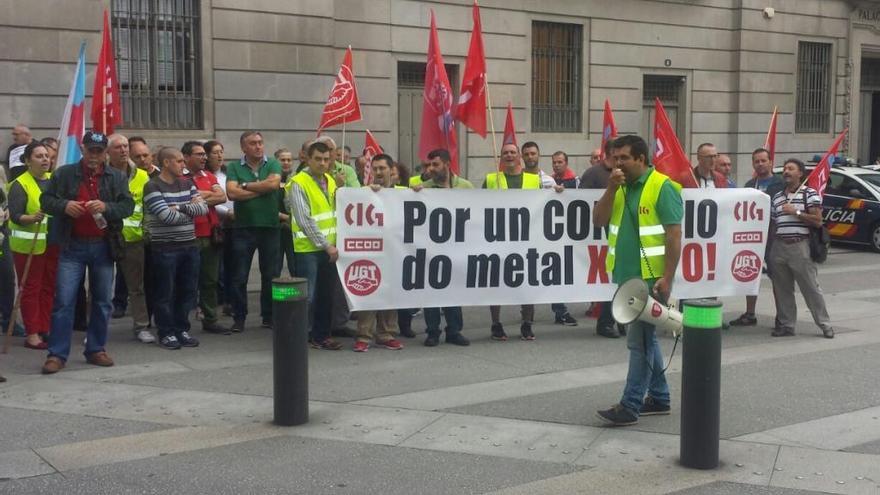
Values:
[(167, 225)]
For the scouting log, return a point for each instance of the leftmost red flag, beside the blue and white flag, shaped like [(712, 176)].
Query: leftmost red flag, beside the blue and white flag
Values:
[(106, 112)]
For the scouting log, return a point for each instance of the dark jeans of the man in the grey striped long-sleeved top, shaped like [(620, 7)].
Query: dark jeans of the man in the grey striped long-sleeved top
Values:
[(175, 286)]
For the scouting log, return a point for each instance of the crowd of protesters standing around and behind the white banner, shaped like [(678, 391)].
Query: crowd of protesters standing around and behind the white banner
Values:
[(161, 234)]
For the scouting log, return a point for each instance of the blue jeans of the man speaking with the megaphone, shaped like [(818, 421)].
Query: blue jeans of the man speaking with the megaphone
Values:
[(645, 368)]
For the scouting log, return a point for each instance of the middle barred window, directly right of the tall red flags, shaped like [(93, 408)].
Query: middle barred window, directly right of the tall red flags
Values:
[(557, 67)]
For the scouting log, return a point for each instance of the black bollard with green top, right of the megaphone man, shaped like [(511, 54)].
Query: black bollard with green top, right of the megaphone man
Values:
[(701, 383)]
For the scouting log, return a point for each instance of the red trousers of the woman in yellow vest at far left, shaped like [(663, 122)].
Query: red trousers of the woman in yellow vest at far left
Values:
[(38, 292)]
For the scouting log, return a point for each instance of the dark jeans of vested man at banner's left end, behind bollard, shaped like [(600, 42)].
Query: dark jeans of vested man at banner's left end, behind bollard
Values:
[(321, 275)]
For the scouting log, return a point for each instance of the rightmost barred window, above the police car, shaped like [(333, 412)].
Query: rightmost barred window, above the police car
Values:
[(813, 105)]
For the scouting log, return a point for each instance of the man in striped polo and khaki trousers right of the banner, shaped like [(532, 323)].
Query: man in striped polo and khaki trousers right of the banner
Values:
[(796, 209)]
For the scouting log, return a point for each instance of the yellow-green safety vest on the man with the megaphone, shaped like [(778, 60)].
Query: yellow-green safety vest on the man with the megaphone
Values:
[(651, 232)]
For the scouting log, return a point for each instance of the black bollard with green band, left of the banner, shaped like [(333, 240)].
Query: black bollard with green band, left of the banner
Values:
[(290, 315)]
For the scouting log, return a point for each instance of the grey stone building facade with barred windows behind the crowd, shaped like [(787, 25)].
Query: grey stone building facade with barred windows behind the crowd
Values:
[(212, 68)]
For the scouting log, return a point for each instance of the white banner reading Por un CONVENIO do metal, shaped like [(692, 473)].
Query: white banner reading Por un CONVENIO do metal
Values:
[(454, 247)]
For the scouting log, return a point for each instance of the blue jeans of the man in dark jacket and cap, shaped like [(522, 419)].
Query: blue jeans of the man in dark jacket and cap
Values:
[(72, 264)]
